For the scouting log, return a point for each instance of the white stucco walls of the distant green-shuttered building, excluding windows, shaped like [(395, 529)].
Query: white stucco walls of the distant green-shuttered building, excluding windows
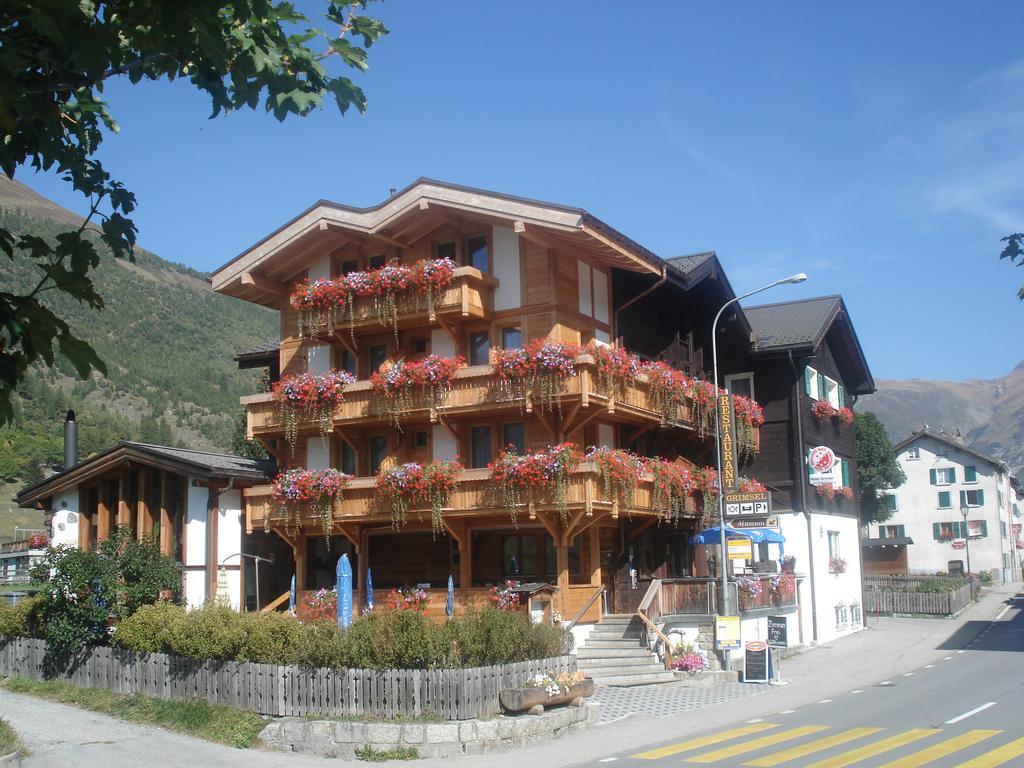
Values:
[(918, 510)]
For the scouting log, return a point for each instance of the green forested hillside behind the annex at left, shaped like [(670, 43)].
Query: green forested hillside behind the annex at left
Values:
[(168, 343)]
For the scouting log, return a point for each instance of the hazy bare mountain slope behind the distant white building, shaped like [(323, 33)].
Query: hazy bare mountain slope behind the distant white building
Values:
[(989, 413)]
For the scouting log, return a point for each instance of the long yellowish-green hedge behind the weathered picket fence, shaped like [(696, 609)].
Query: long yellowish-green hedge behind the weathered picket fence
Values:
[(391, 639)]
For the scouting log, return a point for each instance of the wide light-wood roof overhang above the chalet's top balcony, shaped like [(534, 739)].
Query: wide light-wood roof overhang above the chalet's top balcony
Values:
[(263, 274)]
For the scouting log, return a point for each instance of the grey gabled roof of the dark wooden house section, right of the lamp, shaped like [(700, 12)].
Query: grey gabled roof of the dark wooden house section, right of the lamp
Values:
[(801, 327)]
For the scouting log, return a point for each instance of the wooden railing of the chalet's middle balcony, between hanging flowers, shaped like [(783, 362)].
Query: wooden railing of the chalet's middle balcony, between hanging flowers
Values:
[(478, 388)]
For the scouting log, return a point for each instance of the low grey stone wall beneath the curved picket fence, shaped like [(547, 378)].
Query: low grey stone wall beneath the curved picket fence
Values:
[(343, 739)]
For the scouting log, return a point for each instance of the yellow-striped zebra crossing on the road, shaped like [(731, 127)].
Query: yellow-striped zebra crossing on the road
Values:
[(746, 740)]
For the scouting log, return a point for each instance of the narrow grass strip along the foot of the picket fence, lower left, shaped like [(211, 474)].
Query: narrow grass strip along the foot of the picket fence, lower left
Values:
[(214, 723)]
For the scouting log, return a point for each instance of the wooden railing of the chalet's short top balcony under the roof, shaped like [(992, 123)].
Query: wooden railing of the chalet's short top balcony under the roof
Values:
[(471, 296)]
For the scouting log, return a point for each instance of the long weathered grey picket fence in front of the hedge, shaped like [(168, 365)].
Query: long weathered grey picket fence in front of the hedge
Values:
[(279, 691)]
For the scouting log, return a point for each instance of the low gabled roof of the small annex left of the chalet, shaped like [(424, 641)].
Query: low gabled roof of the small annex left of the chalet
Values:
[(199, 464)]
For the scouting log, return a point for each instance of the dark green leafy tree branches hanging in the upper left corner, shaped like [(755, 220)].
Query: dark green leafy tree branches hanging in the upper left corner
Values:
[(55, 61)]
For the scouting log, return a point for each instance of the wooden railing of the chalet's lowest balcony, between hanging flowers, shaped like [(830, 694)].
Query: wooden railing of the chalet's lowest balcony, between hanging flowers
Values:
[(476, 496)]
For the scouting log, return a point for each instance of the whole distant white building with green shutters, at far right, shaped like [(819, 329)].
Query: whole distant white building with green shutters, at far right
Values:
[(956, 502)]
